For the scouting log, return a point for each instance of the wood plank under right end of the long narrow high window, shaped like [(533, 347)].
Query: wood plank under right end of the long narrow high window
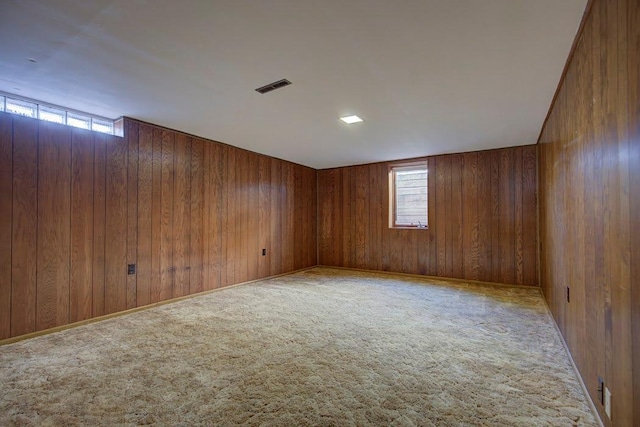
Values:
[(116, 219)]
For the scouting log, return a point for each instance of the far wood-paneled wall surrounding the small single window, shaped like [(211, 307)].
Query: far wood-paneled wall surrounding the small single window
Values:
[(482, 218)]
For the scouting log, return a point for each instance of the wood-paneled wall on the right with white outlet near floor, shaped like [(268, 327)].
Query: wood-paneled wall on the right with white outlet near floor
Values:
[(590, 199)]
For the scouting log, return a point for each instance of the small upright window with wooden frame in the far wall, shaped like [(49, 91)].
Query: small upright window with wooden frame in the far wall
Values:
[(408, 195)]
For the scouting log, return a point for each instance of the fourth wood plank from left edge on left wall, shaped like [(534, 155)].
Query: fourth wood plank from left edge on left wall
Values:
[(81, 280)]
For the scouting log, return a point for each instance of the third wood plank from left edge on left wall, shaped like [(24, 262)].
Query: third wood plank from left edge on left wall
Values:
[(54, 213)]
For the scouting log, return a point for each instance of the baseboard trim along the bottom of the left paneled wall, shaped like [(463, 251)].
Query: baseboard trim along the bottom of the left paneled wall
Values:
[(136, 309)]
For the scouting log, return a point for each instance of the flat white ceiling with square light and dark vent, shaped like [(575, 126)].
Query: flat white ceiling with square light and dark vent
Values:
[(428, 76)]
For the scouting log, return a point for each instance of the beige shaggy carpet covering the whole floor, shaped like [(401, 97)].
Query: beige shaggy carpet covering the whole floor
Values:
[(319, 348)]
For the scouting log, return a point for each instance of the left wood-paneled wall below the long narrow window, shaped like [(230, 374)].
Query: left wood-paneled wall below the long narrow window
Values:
[(77, 207)]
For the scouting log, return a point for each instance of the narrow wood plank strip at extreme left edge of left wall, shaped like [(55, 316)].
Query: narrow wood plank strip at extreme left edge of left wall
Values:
[(6, 202)]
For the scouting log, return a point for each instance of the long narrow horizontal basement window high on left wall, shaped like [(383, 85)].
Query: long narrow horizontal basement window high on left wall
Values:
[(49, 113)]
